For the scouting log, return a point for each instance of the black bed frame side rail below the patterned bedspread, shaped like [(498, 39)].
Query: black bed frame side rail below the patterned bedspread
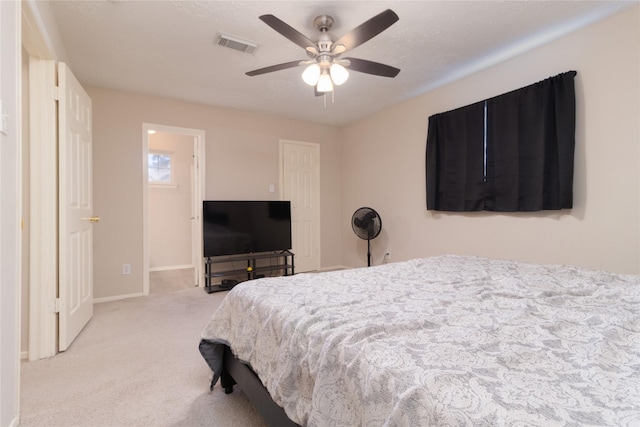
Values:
[(236, 372)]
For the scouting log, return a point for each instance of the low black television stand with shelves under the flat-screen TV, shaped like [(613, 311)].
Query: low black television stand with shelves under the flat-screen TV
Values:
[(283, 261)]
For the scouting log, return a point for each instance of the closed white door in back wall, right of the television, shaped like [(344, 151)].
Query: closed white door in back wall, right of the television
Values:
[(301, 185)]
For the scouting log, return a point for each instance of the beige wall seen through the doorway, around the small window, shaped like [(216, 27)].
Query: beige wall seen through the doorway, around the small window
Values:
[(170, 206)]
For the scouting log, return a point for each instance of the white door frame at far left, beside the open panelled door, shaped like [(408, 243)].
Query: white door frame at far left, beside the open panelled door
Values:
[(43, 268)]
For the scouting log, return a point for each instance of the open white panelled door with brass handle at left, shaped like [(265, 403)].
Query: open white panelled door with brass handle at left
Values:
[(76, 216)]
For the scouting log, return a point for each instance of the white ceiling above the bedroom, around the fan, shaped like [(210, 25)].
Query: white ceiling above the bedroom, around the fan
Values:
[(168, 48)]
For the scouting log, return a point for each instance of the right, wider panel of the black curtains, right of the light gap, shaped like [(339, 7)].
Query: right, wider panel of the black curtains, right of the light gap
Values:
[(530, 146)]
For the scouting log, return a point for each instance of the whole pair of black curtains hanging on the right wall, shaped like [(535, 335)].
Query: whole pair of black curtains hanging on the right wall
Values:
[(530, 141)]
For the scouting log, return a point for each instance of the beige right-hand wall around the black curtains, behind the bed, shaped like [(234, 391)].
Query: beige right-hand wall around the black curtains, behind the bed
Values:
[(601, 231)]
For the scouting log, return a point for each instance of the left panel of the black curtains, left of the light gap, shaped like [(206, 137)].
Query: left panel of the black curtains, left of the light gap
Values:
[(455, 160)]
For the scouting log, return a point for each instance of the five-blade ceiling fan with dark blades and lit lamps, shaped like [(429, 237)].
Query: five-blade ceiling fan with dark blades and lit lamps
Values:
[(326, 68)]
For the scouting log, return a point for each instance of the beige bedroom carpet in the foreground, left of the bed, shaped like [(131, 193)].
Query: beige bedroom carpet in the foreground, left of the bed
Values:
[(135, 364)]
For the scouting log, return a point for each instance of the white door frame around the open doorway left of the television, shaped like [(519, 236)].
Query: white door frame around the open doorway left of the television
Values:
[(198, 192)]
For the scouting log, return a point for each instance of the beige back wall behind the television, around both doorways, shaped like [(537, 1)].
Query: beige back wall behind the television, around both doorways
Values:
[(241, 162)]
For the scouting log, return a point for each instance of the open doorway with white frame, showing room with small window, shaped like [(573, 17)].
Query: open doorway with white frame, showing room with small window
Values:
[(173, 191)]
